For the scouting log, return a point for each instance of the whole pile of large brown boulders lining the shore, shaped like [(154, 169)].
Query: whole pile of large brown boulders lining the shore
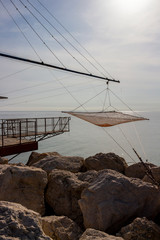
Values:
[(71, 198)]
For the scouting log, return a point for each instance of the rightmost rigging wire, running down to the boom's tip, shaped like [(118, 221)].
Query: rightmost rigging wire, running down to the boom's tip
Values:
[(51, 14)]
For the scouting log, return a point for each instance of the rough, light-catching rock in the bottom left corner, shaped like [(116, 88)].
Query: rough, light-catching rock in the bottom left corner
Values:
[(17, 222)]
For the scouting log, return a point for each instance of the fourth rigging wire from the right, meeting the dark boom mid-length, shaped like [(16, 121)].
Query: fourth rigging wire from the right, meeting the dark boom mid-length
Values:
[(37, 34)]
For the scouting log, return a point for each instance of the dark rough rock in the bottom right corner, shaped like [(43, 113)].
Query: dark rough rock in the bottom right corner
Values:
[(140, 229)]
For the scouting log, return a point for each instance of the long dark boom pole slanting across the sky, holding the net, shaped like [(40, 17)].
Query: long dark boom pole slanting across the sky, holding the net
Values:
[(56, 67)]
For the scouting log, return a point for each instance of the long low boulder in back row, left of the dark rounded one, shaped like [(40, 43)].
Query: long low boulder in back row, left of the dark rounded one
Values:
[(72, 164)]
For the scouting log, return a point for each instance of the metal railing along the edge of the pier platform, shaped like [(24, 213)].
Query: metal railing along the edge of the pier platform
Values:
[(32, 128)]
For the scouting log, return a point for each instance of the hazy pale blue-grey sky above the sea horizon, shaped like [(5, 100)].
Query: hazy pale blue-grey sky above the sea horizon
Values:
[(122, 35)]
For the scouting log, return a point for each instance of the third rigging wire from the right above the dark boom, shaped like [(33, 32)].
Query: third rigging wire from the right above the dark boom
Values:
[(54, 37)]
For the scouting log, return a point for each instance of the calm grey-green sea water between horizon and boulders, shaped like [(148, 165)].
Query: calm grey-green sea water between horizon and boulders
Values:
[(85, 139)]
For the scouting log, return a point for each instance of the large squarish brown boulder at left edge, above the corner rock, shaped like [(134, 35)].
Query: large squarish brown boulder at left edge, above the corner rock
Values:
[(24, 185)]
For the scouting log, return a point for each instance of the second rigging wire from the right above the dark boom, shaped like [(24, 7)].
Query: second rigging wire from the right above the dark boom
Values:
[(65, 38)]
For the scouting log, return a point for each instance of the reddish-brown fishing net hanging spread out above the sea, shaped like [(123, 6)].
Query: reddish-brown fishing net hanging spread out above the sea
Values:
[(106, 119)]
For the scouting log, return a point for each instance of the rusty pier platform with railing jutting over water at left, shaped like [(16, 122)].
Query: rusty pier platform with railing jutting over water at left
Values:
[(22, 135)]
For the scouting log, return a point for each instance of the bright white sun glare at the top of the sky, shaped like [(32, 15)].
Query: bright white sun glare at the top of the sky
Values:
[(132, 6)]
